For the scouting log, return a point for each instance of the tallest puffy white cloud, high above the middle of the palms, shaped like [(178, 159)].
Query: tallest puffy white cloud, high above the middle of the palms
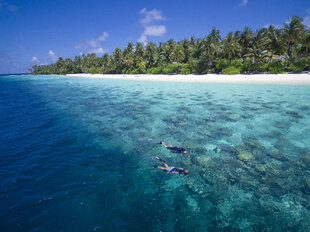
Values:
[(150, 28)]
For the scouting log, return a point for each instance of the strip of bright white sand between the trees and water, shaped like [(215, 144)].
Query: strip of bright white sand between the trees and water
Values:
[(300, 79)]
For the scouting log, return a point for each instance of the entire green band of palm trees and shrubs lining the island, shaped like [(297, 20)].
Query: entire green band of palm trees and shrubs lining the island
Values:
[(273, 50)]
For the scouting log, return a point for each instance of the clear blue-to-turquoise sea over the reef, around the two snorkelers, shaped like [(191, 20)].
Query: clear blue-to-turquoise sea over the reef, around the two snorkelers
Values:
[(76, 155)]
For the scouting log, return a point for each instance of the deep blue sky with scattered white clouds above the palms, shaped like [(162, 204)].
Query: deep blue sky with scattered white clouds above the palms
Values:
[(40, 31)]
